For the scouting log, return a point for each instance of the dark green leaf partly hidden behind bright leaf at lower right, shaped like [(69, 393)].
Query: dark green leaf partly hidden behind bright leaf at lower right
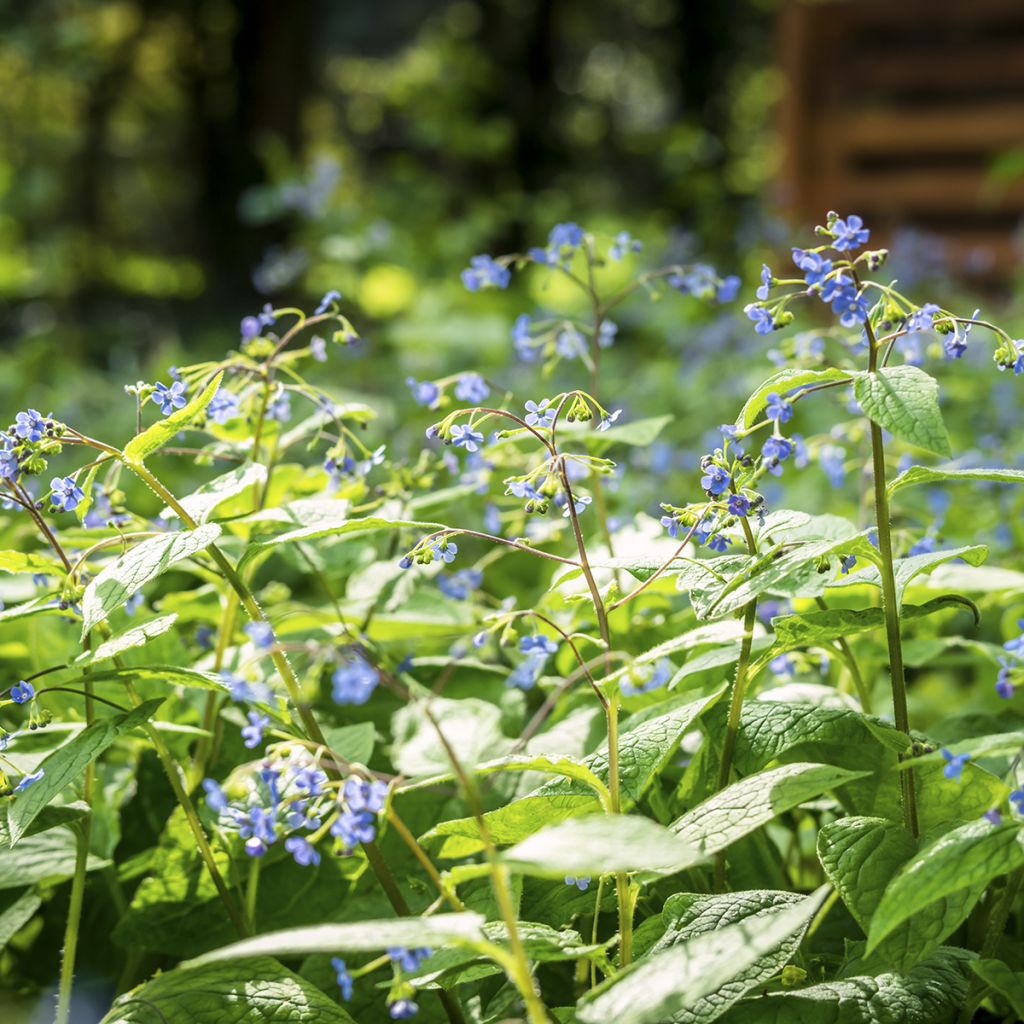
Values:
[(862, 857)]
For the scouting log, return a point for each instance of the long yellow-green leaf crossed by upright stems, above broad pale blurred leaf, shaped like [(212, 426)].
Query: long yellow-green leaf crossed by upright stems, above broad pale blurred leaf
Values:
[(645, 750)]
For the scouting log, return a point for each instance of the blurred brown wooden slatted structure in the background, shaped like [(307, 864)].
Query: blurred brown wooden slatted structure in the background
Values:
[(912, 114)]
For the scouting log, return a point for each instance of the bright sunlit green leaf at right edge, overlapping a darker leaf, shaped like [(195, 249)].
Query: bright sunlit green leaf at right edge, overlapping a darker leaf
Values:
[(969, 857)]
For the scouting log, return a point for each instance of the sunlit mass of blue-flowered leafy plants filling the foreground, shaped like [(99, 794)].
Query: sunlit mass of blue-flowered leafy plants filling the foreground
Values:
[(336, 731)]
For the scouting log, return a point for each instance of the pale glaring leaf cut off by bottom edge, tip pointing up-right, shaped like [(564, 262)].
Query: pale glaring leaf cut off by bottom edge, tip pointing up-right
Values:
[(691, 982)]
